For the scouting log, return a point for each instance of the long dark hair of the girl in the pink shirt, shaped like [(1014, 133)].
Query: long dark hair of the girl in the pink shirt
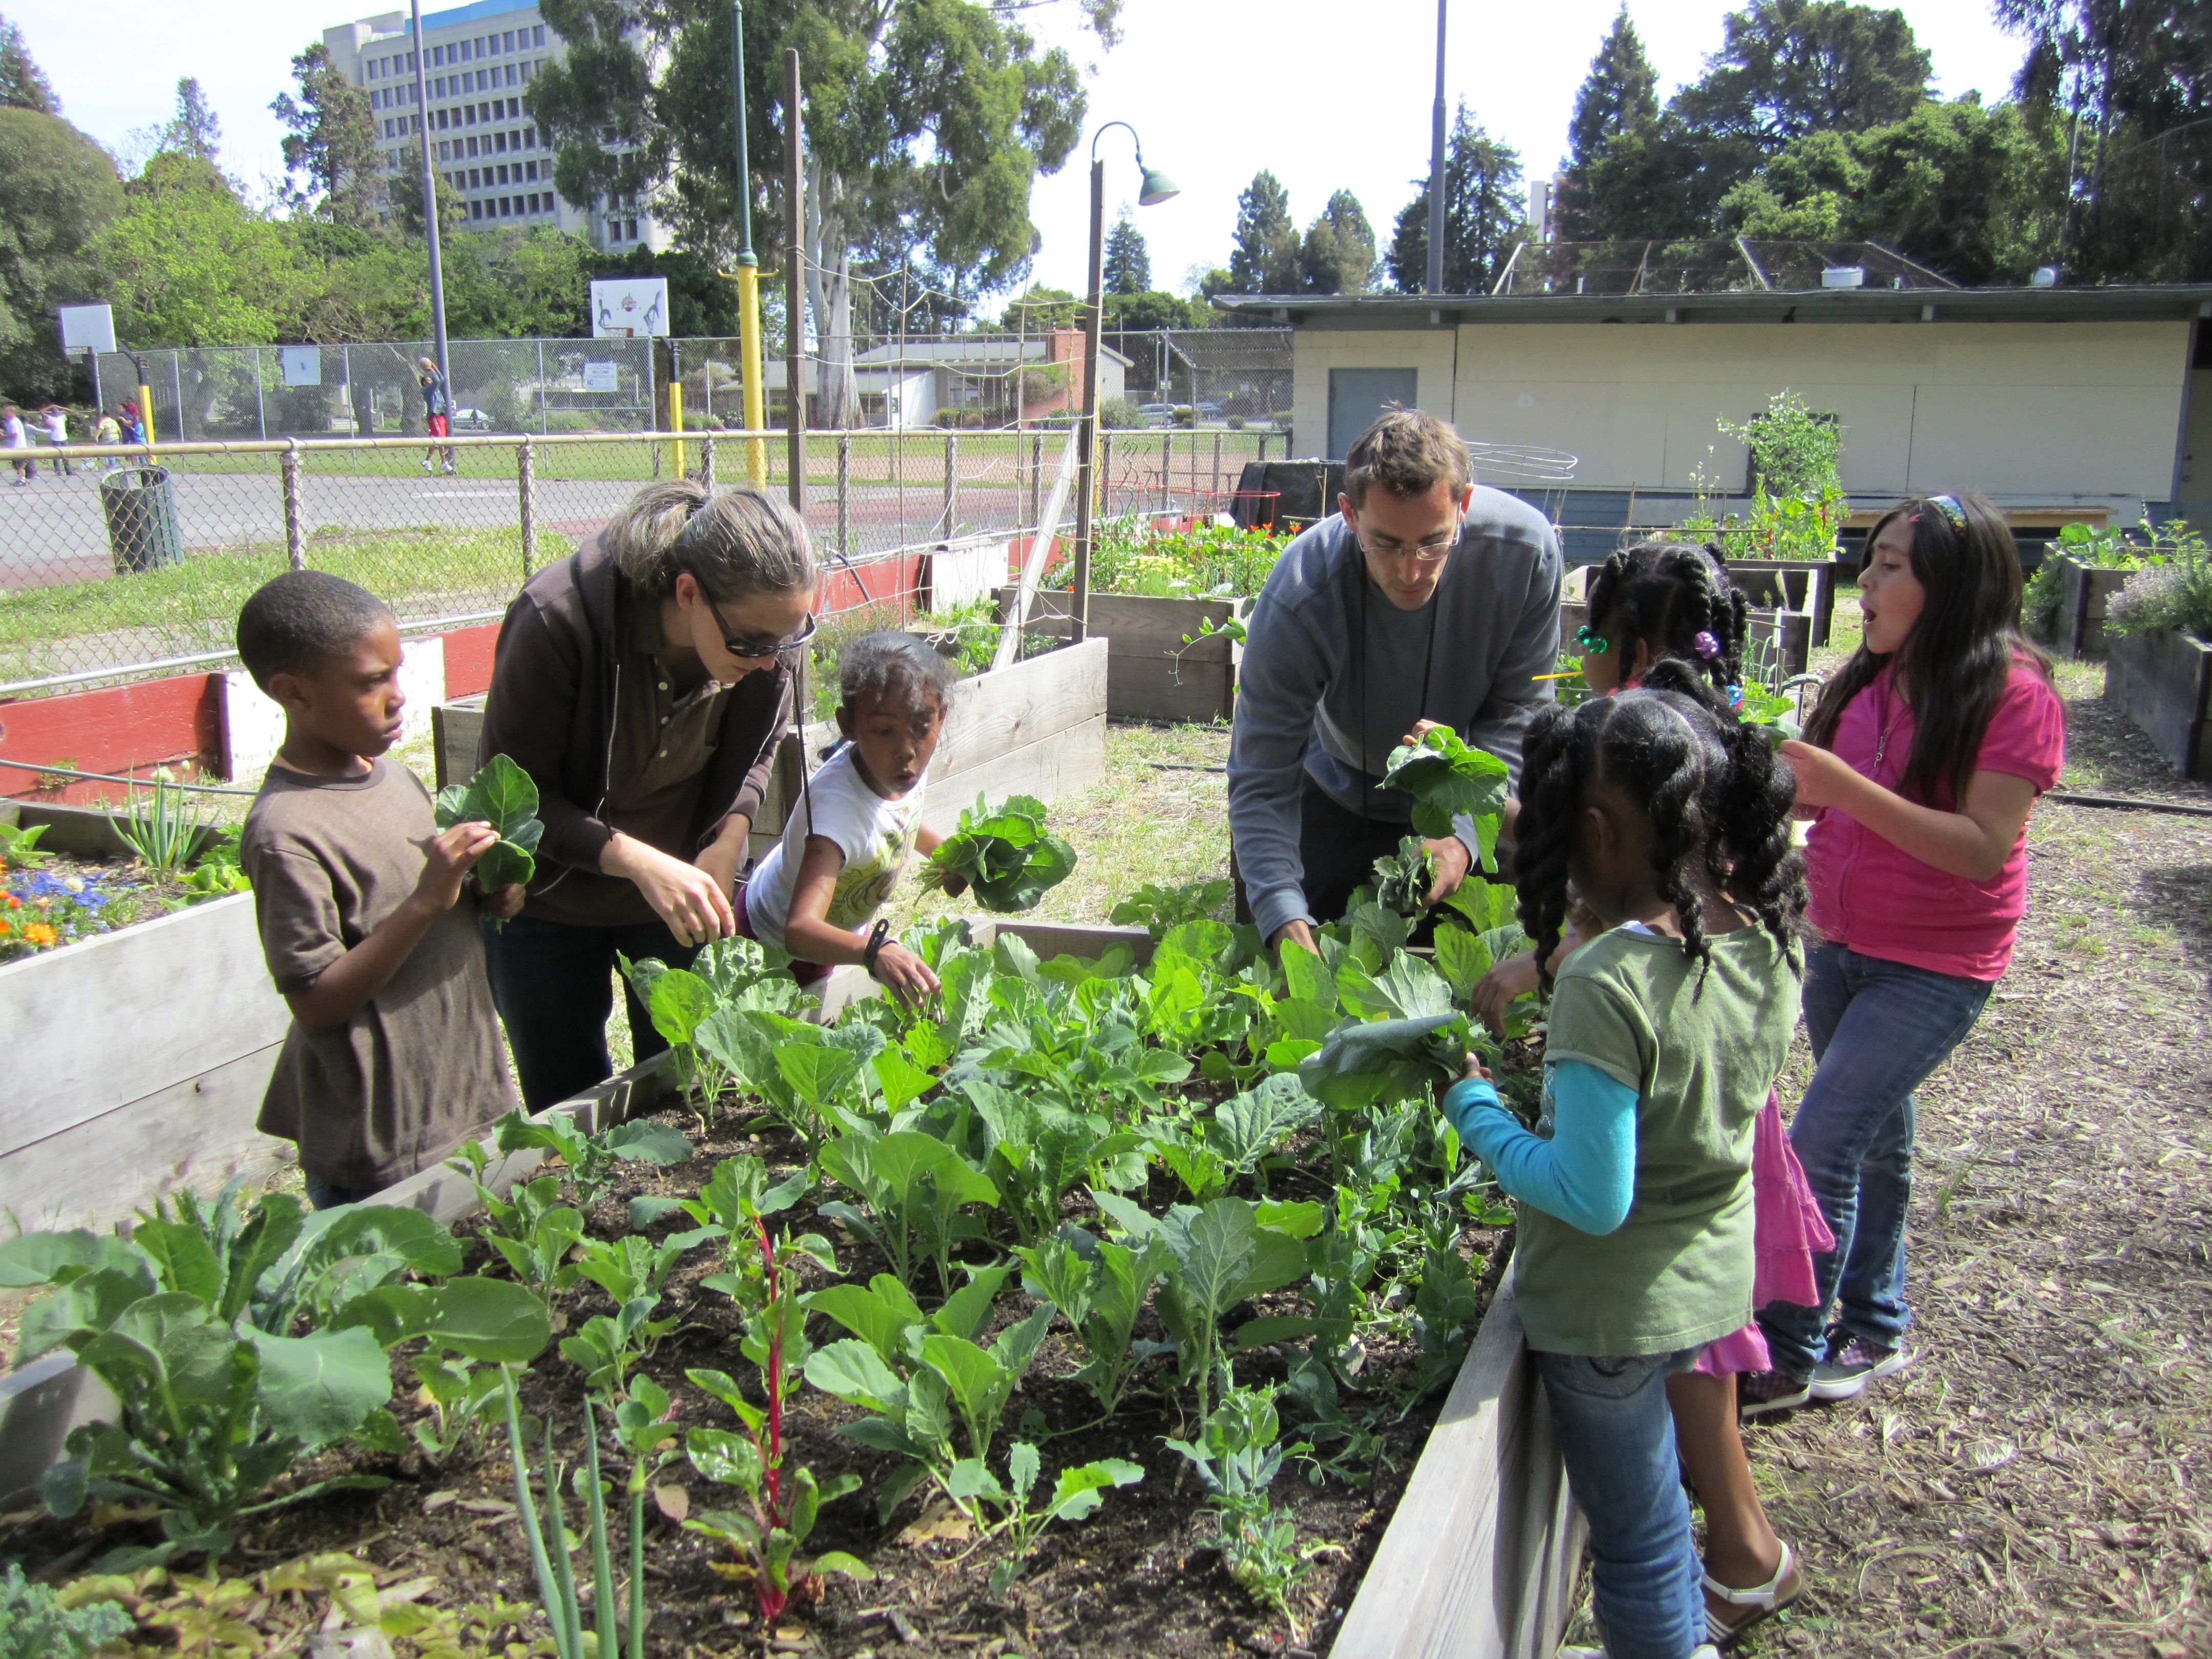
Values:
[(1961, 651)]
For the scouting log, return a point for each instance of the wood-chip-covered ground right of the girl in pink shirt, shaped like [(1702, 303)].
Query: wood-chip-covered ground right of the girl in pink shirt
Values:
[(2038, 1481)]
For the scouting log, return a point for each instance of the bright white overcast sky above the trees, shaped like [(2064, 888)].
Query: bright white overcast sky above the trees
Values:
[(1218, 90)]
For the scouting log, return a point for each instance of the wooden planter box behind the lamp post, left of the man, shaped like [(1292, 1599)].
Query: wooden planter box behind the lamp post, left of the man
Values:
[(1151, 674)]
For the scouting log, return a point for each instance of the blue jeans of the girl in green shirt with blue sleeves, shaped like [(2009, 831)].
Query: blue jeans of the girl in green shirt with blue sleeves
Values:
[(1618, 1439)]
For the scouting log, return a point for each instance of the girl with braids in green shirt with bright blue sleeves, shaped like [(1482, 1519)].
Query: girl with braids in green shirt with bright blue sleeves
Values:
[(1636, 1213)]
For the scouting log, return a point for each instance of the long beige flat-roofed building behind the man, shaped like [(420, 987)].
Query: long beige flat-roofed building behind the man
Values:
[(2041, 397)]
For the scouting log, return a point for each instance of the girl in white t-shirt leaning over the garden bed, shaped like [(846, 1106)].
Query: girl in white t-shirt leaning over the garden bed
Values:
[(857, 824)]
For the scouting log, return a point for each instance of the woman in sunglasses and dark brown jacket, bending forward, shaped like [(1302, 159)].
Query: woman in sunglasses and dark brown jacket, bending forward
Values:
[(643, 685)]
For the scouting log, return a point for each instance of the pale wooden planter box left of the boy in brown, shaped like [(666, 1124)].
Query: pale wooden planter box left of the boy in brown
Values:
[(138, 1065)]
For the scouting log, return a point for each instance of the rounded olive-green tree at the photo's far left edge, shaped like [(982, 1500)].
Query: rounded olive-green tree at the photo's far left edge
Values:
[(56, 191)]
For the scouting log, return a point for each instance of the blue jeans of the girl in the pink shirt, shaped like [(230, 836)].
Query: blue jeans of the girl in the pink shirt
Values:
[(1877, 1032)]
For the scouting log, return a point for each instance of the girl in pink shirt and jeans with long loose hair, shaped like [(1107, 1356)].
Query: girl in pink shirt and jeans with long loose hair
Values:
[(1919, 771)]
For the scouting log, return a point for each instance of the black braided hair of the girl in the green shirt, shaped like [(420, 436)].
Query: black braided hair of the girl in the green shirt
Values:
[(1711, 789)]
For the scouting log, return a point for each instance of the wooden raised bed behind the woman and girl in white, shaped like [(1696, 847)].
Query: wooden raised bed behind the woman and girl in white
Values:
[(1036, 729)]
